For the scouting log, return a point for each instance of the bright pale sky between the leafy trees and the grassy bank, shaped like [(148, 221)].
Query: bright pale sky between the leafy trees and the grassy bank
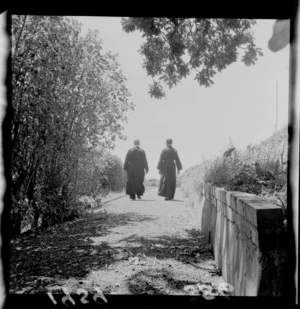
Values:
[(239, 109)]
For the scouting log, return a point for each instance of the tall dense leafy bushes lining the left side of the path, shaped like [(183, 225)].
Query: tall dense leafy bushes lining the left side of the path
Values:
[(69, 101)]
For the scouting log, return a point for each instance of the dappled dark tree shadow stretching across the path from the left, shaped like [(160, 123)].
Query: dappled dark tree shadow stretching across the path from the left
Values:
[(66, 250)]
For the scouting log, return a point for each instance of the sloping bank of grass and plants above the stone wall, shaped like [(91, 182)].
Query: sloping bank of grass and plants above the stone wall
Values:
[(260, 169)]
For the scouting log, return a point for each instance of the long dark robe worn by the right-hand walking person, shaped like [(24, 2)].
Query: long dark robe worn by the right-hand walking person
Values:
[(167, 169)]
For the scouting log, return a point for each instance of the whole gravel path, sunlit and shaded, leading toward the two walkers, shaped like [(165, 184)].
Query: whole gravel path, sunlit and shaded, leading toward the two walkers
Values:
[(126, 247)]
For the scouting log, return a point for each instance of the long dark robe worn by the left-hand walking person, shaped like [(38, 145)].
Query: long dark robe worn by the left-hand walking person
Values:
[(135, 164)]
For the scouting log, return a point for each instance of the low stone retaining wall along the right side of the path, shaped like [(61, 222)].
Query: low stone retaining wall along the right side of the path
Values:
[(246, 237)]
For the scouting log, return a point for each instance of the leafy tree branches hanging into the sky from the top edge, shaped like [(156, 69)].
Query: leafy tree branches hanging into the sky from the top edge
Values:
[(175, 47)]
